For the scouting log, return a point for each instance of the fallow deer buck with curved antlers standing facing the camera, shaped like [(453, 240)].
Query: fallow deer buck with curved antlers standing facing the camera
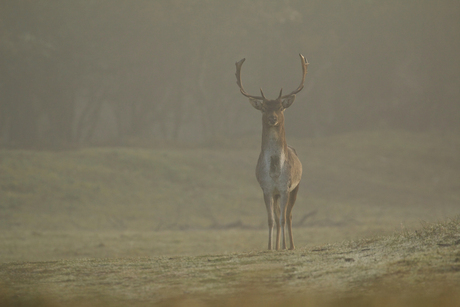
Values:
[(278, 169)]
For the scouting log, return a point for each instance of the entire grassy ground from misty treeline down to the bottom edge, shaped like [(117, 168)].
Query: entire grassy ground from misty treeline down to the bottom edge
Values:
[(181, 225)]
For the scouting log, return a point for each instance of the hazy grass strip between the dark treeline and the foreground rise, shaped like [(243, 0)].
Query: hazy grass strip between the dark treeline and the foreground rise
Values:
[(122, 202)]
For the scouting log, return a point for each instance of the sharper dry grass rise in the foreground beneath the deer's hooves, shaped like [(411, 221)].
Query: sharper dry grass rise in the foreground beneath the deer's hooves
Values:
[(409, 268)]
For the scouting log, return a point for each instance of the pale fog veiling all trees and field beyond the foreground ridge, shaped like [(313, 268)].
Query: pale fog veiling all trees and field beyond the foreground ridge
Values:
[(146, 90)]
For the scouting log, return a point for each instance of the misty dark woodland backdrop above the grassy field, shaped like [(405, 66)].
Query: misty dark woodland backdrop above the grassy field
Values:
[(112, 72)]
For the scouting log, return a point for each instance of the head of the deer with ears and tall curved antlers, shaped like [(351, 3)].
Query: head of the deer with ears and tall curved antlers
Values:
[(272, 110)]
